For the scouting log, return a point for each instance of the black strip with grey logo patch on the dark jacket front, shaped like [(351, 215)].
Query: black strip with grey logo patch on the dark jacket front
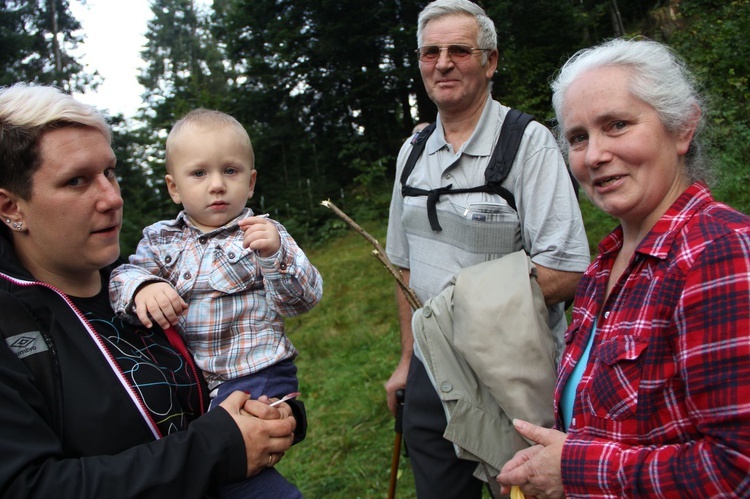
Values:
[(28, 341)]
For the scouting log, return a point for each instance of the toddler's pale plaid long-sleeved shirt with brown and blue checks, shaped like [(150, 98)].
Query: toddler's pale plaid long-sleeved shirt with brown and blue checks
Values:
[(236, 300)]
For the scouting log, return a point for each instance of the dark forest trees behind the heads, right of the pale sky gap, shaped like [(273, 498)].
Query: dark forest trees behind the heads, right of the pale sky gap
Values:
[(329, 90)]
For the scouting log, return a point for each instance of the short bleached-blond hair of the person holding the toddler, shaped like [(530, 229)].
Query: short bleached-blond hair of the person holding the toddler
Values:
[(26, 112)]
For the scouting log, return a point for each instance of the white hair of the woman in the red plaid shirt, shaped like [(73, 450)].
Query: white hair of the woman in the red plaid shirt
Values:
[(658, 77)]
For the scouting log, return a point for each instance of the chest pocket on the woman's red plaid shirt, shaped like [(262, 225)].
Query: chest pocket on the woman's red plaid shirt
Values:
[(616, 377)]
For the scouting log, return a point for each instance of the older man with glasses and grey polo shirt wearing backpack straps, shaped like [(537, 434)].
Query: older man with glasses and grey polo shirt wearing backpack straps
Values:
[(457, 51)]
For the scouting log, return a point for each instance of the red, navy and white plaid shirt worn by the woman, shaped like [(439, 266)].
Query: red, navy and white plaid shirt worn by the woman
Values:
[(663, 408)]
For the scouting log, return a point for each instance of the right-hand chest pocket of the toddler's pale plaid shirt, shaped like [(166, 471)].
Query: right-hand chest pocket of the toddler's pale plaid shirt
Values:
[(234, 270)]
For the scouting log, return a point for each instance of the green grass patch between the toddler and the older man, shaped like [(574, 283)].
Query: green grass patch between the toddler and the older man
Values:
[(349, 345)]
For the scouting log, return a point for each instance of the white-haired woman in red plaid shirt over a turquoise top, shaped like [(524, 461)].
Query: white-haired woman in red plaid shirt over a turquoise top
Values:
[(653, 391)]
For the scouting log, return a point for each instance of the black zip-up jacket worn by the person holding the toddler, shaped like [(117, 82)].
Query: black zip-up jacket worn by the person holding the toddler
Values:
[(97, 443)]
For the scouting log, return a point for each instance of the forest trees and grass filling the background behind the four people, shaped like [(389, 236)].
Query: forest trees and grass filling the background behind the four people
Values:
[(328, 91)]
